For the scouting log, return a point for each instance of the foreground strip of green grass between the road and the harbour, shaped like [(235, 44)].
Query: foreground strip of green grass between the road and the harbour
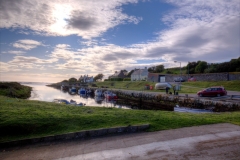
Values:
[(27, 119)]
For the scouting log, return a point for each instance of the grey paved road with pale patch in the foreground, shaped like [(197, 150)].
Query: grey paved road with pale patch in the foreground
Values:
[(215, 142)]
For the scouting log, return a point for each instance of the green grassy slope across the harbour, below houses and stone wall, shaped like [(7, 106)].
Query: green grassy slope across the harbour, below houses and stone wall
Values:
[(187, 87)]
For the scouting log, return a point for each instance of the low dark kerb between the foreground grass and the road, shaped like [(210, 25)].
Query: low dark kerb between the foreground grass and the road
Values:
[(77, 135)]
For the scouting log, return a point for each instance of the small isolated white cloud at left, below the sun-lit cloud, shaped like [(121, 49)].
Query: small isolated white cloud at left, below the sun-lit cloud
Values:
[(26, 44)]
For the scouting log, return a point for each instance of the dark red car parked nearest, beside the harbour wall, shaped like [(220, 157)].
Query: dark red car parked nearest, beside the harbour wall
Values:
[(213, 91)]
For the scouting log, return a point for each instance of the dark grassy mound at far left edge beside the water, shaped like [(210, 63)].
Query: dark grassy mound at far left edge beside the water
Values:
[(15, 90)]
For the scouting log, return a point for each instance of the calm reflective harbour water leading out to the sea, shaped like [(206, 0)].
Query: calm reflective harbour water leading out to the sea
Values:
[(43, 93)]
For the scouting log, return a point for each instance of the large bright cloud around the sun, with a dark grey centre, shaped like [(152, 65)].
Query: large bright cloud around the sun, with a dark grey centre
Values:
[(86, 18)]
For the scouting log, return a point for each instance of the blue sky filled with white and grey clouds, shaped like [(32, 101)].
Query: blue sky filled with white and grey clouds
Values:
[(50, 41)]
